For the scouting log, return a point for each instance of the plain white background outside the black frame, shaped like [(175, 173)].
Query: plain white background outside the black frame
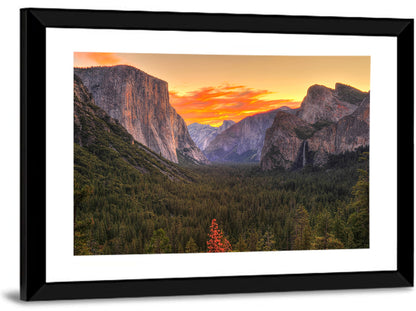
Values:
[(381, 299)]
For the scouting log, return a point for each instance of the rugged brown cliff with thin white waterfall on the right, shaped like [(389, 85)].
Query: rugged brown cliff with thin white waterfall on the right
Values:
[(320, 128)]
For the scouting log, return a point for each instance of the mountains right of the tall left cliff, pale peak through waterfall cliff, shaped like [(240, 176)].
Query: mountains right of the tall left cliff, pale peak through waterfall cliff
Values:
[(329, 121)]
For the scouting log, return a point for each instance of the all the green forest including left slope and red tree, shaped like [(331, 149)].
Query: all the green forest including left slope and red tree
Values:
[(129, 199)]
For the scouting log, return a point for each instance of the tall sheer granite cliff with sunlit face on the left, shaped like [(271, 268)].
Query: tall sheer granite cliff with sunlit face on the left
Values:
[(140, 102)]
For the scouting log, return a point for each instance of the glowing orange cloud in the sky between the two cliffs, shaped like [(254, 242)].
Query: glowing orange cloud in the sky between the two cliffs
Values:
[(212, 105)]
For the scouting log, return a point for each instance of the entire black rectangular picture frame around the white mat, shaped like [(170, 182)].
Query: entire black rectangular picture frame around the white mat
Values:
[(34, 23)]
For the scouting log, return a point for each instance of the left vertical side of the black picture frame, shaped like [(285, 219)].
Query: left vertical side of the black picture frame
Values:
[(32, 154)]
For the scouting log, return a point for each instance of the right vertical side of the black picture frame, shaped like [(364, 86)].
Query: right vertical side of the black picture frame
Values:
[(405, 152)]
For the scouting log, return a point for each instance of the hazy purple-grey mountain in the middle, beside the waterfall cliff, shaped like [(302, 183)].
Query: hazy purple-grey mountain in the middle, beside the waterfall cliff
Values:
[(243, 141)]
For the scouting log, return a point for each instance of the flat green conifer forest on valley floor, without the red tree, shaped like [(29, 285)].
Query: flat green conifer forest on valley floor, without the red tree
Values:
[(256, 211)]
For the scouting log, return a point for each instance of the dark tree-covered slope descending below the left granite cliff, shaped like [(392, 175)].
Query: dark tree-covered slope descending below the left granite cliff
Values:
[(100, 139)]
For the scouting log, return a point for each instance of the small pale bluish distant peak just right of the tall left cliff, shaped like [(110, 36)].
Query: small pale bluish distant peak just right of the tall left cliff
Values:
[(203, 134)]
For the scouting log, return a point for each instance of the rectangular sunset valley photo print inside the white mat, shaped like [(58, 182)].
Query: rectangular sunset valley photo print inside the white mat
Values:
[(183, 153)]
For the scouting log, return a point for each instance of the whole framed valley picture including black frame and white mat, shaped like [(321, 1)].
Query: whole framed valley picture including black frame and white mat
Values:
[(186, 153)]
